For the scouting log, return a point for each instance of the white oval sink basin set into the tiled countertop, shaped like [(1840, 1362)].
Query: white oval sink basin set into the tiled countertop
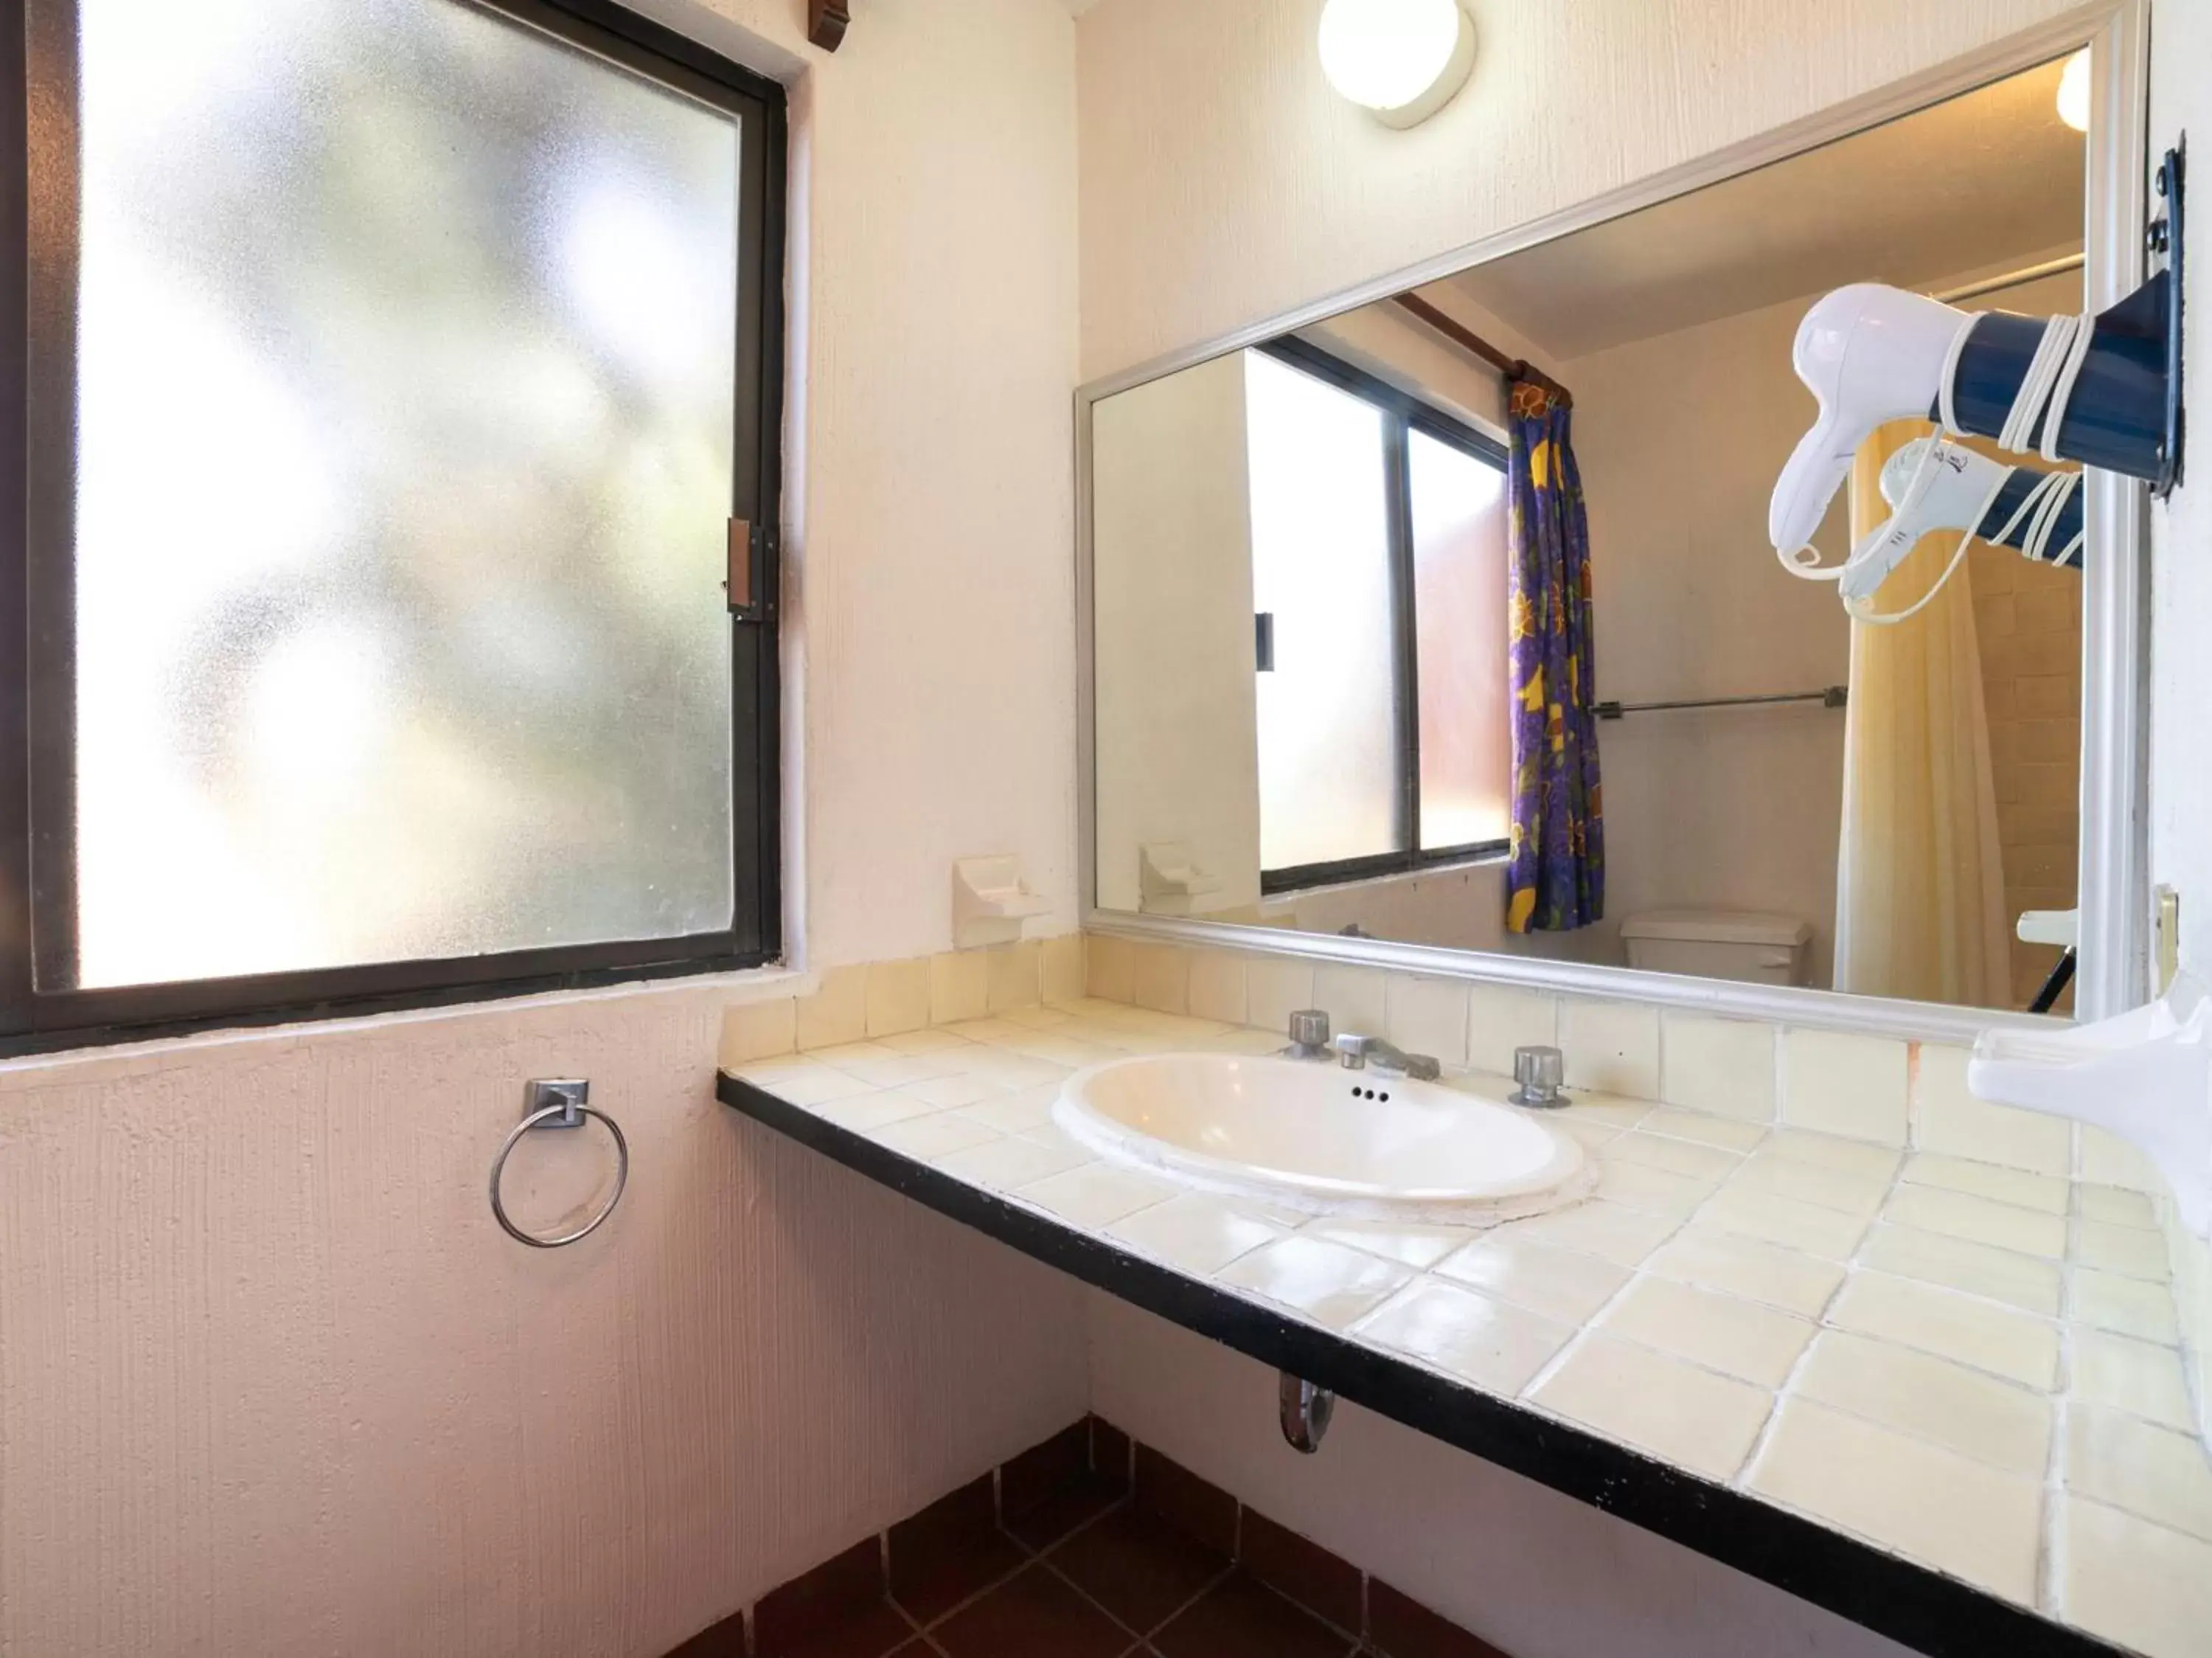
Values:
[(1315, 1137)]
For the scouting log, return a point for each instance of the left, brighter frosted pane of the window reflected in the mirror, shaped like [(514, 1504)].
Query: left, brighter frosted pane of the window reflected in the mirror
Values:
[(1328, 754)]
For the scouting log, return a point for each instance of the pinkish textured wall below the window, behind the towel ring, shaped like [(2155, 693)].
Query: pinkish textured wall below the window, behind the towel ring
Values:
[(271, 1380)]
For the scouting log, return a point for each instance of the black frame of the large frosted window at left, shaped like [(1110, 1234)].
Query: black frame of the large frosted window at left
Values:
[(39, 260)]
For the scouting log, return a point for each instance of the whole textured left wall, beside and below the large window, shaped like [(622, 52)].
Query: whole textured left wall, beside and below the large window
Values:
[(271, 1380)]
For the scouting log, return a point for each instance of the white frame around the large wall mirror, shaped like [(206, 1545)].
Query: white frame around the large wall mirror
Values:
[(2116, 605)]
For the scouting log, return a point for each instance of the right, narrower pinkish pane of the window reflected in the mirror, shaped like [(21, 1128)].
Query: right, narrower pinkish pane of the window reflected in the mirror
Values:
[(1459, 510)]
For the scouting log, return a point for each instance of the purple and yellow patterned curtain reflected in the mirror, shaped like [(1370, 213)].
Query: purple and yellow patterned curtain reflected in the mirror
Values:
[(1556, 875)]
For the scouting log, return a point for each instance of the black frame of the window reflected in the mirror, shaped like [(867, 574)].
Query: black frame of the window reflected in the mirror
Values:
[(1401, 417)]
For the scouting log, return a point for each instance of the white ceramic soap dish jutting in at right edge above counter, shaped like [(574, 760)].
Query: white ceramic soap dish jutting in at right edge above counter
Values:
[(2147, 1077)]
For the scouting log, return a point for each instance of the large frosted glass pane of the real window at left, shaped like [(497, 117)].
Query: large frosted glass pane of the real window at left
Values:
[(406, 404)]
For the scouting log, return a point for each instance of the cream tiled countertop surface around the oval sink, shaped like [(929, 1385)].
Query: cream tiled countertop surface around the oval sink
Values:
[(1965, 1365)]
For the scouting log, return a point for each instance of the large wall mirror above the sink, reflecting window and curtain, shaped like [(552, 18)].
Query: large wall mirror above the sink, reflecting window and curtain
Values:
[(1317, 590)]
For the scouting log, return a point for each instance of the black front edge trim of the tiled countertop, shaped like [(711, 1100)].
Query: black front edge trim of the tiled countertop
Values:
[(1926, 1610)]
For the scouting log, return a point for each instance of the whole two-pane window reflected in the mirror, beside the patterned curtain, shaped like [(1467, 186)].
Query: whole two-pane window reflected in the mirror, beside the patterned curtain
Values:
[(1379, 579)]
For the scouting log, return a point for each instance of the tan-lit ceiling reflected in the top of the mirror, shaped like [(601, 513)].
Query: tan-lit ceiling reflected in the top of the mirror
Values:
[(1974, 183)]
